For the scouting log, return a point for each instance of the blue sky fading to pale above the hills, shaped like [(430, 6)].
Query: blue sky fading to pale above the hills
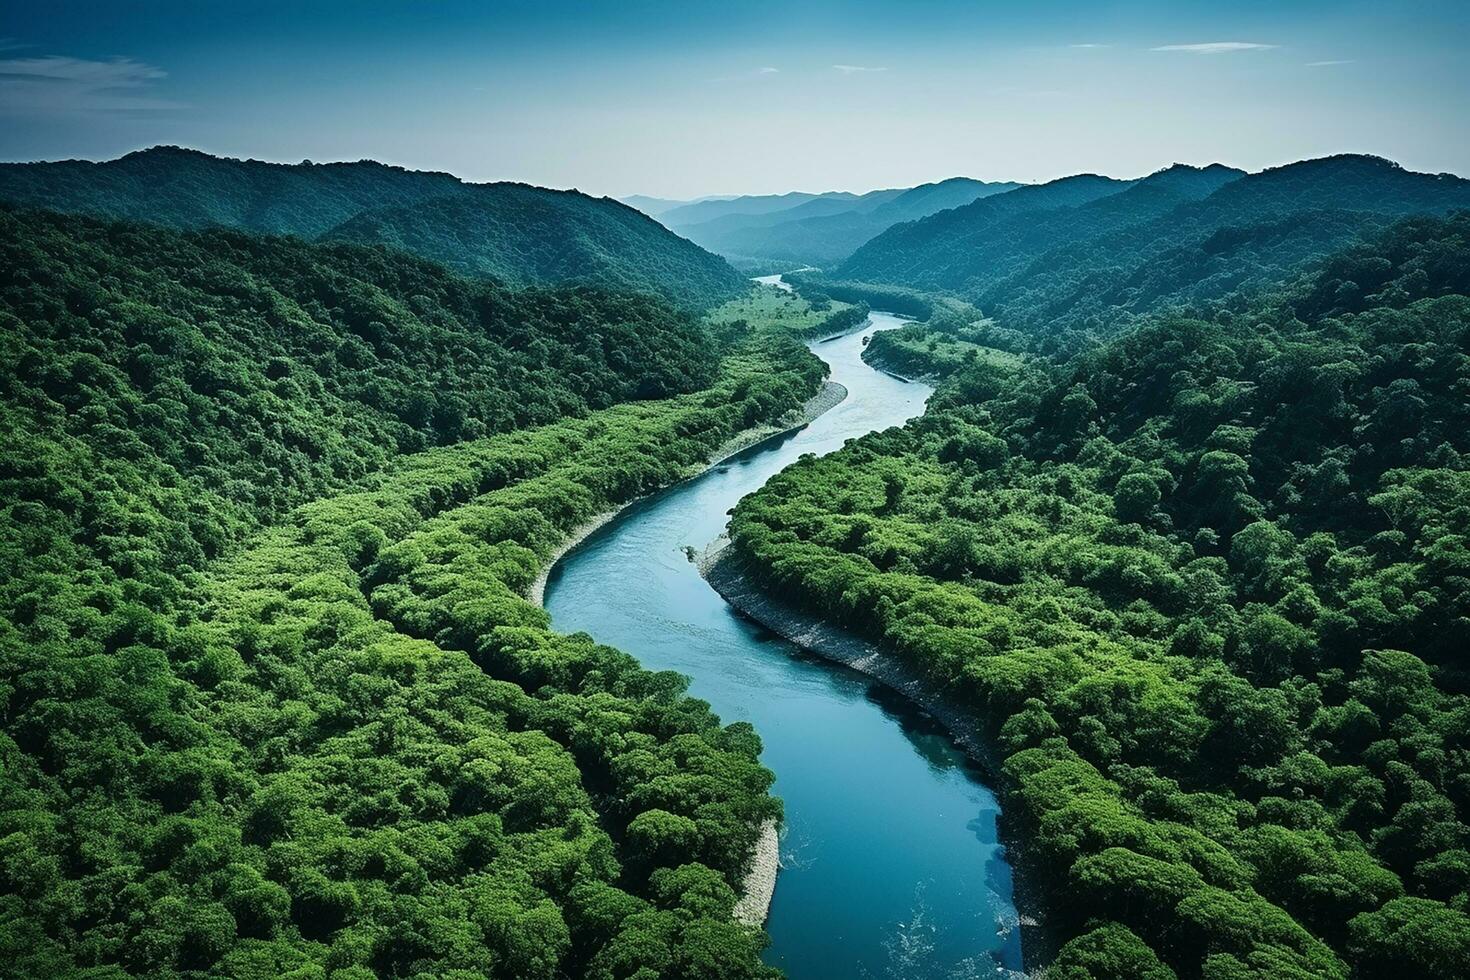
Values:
[(687, 99)]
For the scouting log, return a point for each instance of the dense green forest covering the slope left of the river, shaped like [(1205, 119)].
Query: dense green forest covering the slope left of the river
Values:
[(273, 700)]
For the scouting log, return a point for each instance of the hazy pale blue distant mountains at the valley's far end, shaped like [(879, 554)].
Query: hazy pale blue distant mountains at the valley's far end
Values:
[(824, 230)]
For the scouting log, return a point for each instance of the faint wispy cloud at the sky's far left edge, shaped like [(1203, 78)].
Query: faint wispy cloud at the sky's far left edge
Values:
[(57, 84)]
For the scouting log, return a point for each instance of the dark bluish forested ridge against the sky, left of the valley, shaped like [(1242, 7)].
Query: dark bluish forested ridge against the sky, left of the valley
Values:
[(512, 233)]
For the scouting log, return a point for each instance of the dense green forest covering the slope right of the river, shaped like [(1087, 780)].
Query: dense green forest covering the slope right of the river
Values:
[(1208, 587)]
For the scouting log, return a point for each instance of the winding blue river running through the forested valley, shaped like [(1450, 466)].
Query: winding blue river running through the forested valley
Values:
[(890, 857)]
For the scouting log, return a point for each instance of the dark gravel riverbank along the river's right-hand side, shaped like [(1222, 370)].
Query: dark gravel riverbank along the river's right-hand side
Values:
[(843, 647)]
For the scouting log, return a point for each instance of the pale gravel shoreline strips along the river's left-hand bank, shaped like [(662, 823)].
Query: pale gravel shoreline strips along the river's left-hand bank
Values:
[(761, 882)]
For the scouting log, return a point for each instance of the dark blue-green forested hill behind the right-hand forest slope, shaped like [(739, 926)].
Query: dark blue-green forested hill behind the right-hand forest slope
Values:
[(1164, 242)]
